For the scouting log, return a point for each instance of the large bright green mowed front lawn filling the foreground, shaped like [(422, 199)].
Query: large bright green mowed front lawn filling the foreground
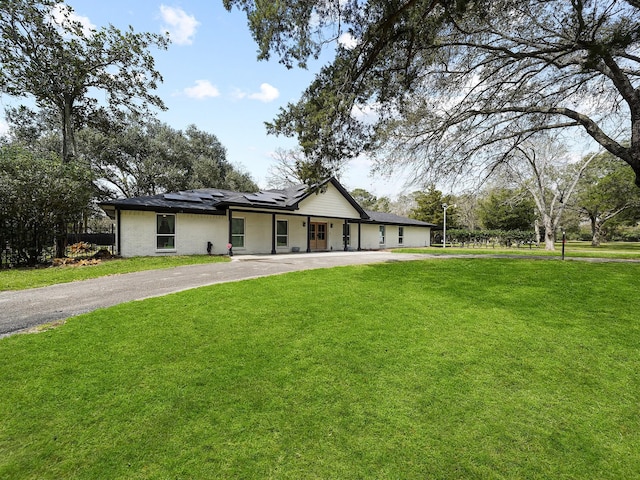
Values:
[(448, 369)]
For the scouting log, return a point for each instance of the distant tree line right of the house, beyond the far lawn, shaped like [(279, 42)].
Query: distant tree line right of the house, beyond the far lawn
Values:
[(597, 193)]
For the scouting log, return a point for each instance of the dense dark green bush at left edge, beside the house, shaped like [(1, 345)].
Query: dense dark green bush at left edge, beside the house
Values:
[(38, 194)]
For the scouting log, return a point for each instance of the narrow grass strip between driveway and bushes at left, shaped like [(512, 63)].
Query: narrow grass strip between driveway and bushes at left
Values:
[(23, 278)]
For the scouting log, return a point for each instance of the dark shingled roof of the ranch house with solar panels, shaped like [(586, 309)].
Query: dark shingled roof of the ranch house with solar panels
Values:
[(215, 201)]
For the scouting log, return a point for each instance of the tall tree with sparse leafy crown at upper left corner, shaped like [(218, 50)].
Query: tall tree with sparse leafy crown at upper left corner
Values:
[(46, 53)]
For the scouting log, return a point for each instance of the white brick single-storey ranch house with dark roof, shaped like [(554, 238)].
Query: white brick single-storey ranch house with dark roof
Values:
[(268, 222)]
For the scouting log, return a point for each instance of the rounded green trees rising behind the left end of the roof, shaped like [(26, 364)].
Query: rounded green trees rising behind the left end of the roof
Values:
[(143, 156)]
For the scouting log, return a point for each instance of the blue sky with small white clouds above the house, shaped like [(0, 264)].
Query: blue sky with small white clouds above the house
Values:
[(213, 80)]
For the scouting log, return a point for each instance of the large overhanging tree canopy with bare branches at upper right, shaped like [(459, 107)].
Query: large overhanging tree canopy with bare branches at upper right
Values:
[(455, 85)]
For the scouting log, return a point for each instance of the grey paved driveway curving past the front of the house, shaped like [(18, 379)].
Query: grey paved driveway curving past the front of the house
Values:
[(24, 309)]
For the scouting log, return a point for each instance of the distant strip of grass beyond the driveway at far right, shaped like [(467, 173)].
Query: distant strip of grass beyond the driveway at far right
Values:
[(621, 250)]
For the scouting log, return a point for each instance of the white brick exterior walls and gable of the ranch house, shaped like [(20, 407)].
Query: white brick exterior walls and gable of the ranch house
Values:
[(138, 234)]
